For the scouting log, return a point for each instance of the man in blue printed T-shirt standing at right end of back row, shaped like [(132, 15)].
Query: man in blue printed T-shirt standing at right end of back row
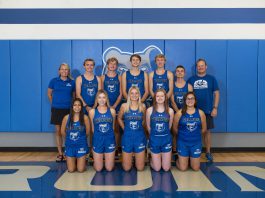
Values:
[(207, 93)]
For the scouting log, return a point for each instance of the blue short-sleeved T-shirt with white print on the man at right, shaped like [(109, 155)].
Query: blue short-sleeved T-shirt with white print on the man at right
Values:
[(203, 88)]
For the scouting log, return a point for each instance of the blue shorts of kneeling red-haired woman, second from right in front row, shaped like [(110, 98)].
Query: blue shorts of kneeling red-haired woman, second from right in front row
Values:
[(160, 144)]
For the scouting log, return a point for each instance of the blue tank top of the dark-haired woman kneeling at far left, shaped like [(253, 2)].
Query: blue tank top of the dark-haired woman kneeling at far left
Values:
[(75, 134)]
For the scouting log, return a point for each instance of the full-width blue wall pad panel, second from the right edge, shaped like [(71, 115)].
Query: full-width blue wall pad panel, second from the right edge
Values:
[(242, 86)]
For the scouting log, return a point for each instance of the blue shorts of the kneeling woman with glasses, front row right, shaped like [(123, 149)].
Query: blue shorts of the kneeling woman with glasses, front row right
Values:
[(193, 151)]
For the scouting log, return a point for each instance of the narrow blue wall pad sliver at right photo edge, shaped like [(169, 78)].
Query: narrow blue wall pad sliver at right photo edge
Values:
[(261, 87)]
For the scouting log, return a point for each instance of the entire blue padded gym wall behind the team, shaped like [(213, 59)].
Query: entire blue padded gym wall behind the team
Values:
[(27, 66)]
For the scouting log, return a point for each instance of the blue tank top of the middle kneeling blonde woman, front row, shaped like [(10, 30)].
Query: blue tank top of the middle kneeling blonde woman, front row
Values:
[(133, 121)]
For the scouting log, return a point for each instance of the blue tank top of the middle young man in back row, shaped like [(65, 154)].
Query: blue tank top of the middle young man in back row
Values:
[(137, 81)]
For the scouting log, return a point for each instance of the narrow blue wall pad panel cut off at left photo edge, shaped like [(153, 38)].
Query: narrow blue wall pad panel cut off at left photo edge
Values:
[(5, 85)]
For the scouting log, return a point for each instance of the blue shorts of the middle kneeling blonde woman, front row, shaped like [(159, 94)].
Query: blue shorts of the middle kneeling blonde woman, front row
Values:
[(133, 142)]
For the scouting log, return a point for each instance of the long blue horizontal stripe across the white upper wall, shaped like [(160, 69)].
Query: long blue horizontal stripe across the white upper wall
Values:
[(128, 16)]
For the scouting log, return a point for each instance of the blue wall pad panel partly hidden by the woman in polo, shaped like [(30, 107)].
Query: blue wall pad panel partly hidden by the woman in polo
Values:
[(53, 53)]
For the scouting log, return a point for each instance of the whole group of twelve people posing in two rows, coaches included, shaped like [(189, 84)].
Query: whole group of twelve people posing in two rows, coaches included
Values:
[(96, 110)]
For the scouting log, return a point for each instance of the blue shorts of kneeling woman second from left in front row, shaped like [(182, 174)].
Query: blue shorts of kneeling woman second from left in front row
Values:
[(103, 143)]
